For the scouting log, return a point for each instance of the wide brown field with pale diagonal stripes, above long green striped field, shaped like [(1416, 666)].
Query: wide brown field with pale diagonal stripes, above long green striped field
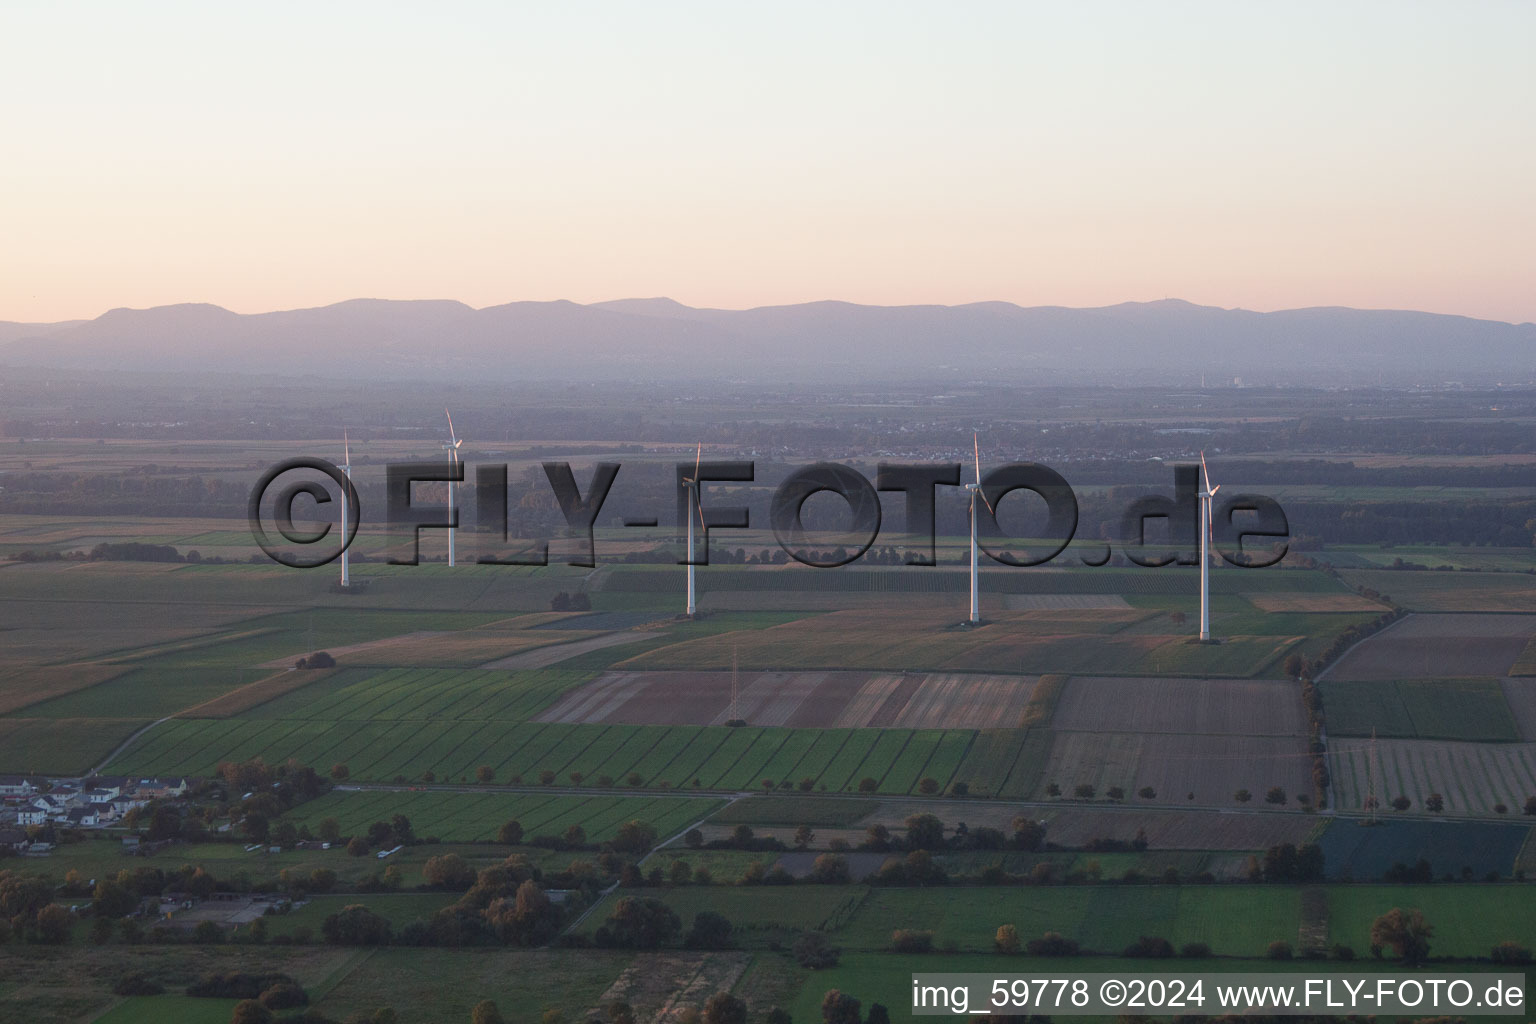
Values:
[(818, 701)]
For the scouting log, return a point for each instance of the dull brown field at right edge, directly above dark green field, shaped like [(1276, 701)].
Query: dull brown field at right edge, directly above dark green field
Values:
[(1438, 647)]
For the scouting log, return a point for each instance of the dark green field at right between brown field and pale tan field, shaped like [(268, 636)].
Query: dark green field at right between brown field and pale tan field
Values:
[(1422, 709)]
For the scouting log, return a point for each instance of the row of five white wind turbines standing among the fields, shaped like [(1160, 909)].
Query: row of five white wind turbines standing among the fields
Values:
[(697, 512)]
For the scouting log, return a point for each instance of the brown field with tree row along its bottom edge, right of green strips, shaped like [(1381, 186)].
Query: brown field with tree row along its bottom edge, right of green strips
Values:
[(1176, 765)]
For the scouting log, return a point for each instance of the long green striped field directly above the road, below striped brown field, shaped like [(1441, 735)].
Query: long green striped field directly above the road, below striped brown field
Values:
[(667, 758)]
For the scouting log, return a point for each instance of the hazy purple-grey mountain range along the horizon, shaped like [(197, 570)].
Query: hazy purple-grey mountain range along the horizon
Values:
[(1157, 343)]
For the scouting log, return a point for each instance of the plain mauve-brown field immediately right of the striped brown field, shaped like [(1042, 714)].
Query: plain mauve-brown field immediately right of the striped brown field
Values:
[(1243, 707)]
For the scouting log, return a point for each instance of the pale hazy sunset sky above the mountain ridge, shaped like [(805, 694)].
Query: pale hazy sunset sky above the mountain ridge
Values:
[(726, 154)]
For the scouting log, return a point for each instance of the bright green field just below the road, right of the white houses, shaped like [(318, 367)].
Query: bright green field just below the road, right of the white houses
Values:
[(474, 818)]
